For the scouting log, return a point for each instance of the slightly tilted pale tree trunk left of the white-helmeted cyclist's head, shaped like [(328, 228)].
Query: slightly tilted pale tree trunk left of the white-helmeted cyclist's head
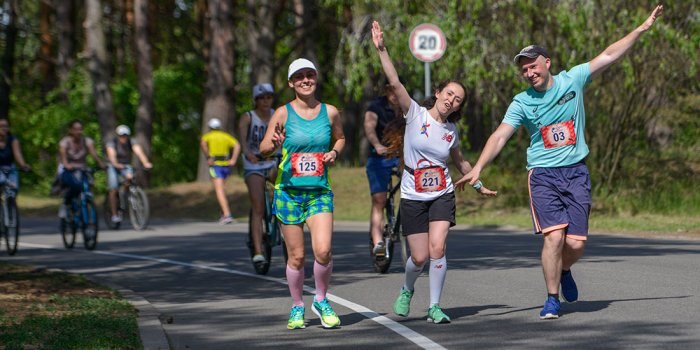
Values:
[(97, 66)]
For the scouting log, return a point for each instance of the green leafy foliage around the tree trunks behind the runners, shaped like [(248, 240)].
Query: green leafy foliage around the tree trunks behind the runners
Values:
[(655, 87)]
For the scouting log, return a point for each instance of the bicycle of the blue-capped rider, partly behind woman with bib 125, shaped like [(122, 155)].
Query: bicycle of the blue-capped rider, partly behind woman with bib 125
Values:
[(272, 232)]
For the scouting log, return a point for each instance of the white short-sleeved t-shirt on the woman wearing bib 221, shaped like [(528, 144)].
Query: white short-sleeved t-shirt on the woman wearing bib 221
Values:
[(427, 143)]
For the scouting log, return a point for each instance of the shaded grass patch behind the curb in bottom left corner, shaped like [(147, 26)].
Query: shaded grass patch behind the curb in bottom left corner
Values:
[(41, 309)]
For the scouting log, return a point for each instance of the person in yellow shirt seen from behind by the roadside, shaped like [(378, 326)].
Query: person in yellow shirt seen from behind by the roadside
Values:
[(221, 150)]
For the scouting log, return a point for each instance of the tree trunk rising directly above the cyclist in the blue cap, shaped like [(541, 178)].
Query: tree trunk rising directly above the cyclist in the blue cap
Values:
[(261, 43)]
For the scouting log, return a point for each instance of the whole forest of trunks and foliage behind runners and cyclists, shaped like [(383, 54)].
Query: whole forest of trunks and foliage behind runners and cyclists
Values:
[(166, 67)]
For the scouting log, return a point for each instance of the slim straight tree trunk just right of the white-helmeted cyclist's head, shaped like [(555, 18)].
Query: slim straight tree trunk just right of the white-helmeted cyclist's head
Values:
[(144, 112)]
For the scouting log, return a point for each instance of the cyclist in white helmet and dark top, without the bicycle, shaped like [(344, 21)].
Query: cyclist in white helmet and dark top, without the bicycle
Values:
[(119, 154)]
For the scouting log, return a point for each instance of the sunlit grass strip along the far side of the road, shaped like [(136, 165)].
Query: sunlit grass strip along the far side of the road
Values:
[(671, 208)]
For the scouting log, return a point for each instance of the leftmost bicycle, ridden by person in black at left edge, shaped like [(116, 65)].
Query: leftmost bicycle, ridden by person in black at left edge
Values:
[(9, 215)]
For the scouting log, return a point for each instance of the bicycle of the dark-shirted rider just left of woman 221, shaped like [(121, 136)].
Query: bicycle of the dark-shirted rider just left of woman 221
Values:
[(392, 229)]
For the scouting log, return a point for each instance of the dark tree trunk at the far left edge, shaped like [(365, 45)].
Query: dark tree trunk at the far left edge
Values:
[(8, 59)]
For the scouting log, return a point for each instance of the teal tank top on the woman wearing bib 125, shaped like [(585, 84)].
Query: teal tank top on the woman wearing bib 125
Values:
[(305, 143)]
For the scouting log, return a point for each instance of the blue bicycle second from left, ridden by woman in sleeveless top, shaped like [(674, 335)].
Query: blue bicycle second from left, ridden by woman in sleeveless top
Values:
[(81, 213)]
